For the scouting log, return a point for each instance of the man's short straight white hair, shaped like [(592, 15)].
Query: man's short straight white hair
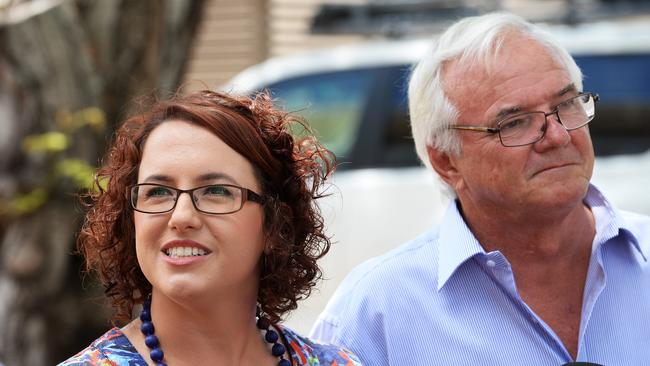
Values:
[(473, 41)]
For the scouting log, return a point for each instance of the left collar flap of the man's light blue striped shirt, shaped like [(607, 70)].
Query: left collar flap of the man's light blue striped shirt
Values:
[(456, 243)]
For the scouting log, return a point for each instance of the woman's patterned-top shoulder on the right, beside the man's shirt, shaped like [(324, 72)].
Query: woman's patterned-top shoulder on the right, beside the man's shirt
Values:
[(308, 352)]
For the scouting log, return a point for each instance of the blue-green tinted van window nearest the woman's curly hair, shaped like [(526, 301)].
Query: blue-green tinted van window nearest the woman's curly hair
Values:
[(332, 103)]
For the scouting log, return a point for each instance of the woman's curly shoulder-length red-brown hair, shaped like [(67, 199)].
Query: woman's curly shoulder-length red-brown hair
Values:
[(292, 172)]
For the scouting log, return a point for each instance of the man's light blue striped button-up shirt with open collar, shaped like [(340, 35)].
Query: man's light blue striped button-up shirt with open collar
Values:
[(442, 300)]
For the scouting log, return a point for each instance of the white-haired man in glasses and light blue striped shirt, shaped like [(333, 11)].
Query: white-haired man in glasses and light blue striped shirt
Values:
[(530, 265)]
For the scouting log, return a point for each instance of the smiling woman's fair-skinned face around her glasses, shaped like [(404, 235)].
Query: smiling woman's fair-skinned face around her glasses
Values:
[(228, 247)]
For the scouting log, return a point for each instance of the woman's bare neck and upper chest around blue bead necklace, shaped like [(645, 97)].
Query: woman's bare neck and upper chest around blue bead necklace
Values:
[(210, 332)]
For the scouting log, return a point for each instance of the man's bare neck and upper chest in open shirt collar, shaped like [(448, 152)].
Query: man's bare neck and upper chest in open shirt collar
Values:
[(549, 257)]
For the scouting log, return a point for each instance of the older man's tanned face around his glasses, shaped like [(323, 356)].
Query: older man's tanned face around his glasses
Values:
[(552, 173)]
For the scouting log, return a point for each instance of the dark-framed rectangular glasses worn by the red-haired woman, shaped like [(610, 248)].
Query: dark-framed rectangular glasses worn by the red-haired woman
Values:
[(216, 199)]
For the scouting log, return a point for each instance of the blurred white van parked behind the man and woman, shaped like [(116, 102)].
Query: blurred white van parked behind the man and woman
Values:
[(355, 99)]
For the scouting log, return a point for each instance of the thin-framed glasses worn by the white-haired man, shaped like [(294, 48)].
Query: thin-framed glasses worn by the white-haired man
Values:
[(530, 127)]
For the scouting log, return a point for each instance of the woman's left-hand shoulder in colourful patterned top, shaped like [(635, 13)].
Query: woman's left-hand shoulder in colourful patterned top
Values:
[(112, 348)]
